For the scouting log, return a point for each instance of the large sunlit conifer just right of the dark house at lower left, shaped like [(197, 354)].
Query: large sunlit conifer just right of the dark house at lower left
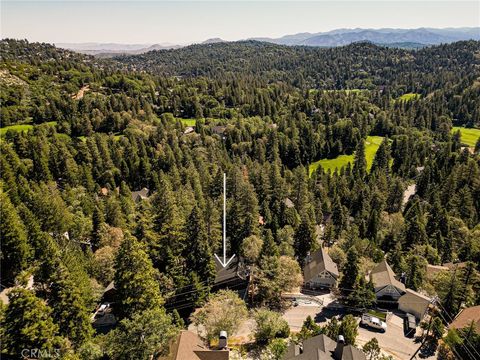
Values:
[(135, 279)]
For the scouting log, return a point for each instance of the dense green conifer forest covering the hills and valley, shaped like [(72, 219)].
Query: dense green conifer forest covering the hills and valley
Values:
[(101, 130)]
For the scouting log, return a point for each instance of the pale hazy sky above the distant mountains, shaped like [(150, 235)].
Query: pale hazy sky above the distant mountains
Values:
[(183, 22)]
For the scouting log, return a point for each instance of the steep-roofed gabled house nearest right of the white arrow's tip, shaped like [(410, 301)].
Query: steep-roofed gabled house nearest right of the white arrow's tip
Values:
[(320, 271)]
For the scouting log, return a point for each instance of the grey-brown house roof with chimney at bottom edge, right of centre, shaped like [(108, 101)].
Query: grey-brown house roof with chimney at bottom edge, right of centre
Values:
[(321, 347)]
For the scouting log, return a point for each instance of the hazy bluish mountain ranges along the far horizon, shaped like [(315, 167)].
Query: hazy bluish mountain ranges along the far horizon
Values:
[(402, 38)]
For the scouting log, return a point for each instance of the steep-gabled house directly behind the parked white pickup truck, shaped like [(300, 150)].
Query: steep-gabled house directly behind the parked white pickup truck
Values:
[(387, 288)]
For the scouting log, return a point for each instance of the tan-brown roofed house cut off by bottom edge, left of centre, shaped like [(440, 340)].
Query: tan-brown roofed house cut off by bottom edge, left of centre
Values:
[(188, 346)]
